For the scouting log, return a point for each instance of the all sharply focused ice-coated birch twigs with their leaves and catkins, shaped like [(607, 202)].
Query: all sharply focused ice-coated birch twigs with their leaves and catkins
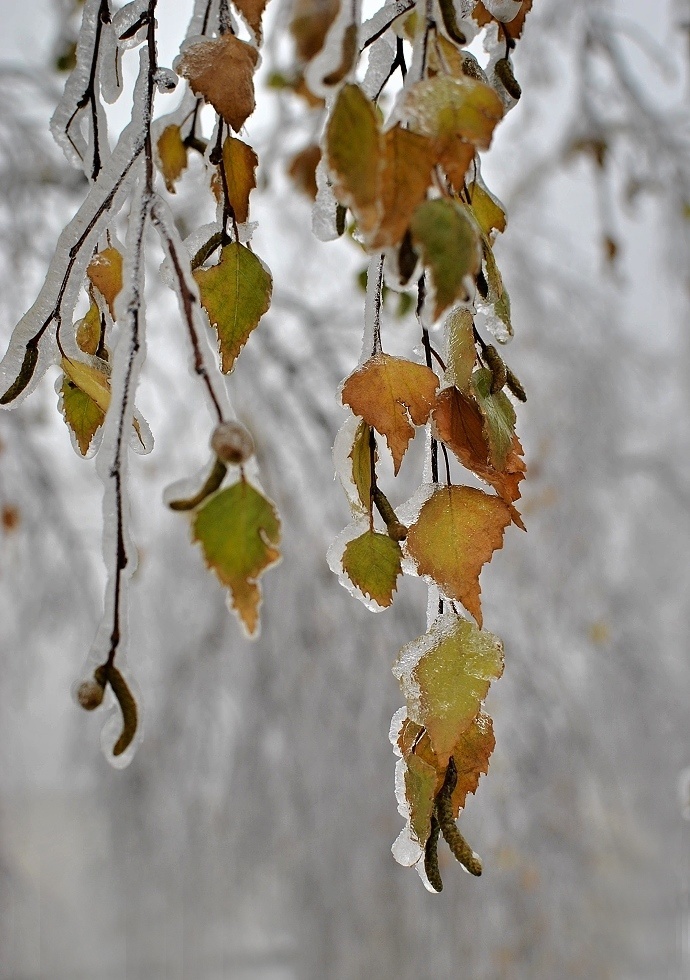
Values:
[(411, 184)]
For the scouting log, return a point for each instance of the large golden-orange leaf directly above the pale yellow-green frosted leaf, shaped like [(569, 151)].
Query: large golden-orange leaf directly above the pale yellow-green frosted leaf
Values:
[(456, 533)]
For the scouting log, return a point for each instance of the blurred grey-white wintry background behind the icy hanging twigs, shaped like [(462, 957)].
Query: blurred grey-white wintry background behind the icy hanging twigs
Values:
[(250, 837)]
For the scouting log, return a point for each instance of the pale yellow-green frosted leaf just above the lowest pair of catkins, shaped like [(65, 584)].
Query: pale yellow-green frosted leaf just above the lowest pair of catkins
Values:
[(445, 676)]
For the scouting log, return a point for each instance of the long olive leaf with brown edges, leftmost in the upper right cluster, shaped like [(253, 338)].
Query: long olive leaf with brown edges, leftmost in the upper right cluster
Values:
[(354, 153)]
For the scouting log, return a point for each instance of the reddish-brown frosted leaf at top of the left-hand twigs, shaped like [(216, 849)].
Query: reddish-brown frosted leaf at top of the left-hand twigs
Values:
[(222, 69)]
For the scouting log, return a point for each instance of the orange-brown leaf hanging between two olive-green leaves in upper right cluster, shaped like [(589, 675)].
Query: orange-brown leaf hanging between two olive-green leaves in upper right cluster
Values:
[(407, 162)]
